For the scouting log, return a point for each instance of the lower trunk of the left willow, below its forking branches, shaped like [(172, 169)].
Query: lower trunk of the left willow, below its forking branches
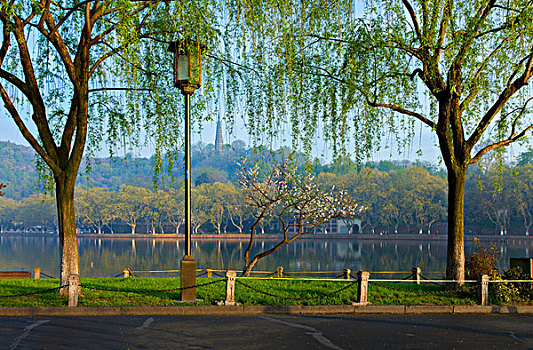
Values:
[(70, 261)]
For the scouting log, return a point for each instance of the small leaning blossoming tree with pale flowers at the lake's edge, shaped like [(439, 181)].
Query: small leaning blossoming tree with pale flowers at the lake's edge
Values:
[(295, 200)]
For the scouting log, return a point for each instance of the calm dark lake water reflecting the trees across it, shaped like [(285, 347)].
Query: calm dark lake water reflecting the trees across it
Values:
[(108, 257)]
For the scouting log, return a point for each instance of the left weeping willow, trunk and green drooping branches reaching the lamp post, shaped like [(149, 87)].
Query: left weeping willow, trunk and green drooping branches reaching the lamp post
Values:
[(74, 73)]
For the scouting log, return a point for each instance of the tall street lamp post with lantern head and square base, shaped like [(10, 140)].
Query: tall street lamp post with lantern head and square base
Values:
[(187, 77)]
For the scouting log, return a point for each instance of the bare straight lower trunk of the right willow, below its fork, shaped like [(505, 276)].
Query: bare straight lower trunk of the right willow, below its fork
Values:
[(455, 263)]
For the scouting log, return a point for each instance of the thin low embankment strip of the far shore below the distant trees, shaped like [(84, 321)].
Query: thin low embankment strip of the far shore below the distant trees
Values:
[(271, 237)]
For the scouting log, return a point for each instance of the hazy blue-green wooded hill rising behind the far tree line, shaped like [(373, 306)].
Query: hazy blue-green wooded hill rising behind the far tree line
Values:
[(17, 168)]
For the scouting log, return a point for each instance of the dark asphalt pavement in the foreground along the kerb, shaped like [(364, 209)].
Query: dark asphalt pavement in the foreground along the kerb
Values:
[(294, 332)]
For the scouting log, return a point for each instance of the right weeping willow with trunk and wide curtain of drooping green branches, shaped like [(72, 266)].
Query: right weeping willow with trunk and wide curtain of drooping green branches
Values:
[(362, 71)]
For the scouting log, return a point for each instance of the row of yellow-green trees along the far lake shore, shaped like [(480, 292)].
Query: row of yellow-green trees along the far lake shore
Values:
[(399, 200)]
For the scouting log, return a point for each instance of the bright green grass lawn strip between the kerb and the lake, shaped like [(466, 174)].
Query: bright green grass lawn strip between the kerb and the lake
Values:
[(136, 291)]
